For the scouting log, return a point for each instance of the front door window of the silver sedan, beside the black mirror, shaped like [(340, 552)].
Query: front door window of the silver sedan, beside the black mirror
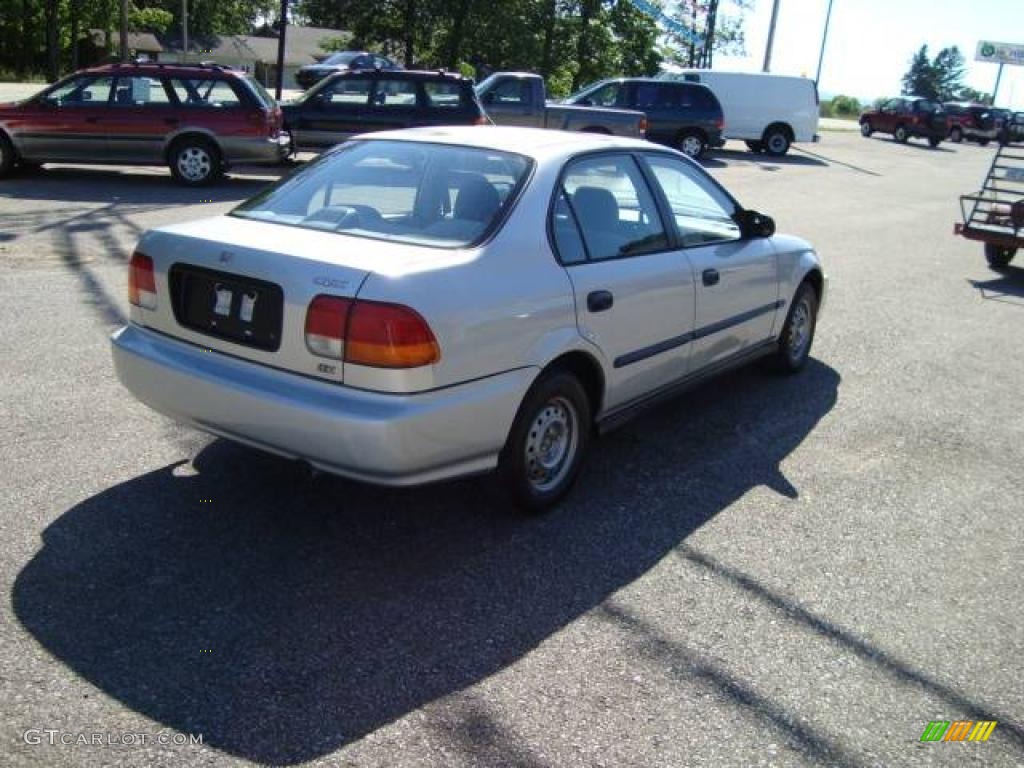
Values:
[(702, 211)]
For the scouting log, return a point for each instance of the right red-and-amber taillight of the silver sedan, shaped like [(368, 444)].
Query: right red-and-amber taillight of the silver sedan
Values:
[(370, 333)]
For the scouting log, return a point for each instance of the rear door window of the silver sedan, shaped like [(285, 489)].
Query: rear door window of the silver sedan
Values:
[(610, 202)]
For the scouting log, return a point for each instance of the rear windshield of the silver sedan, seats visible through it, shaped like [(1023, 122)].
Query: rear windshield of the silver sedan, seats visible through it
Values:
[(435, 195)]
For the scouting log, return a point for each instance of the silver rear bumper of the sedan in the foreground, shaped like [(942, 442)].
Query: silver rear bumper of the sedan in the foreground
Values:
[(382, 439)]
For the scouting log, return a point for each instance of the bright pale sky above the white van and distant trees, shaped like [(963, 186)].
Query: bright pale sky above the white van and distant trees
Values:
[(871, 42)]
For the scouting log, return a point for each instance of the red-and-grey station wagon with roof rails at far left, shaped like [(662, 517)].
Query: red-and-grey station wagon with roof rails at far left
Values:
[(196, 119)]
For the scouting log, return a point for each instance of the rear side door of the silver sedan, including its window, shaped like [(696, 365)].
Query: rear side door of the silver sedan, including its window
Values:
[(634, 292)]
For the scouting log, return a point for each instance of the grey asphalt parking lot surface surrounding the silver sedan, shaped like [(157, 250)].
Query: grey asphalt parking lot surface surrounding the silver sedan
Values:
[(770, 572)]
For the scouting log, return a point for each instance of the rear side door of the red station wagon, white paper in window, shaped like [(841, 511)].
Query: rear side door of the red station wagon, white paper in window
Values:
[(141, 117)]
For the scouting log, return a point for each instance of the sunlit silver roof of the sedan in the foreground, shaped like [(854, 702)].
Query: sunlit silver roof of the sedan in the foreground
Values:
[(540, 144)]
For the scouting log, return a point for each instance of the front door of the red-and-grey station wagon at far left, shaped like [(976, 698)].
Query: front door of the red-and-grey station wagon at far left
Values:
[(66, 123)]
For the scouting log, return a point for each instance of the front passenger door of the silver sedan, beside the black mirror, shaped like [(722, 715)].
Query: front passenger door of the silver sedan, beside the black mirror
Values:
[(737, 278)]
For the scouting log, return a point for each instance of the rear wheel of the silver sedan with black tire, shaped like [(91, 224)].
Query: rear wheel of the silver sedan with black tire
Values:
[(557, 408)]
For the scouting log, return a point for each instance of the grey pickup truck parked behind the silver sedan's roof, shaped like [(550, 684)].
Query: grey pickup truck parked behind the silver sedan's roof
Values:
[(520, 99)]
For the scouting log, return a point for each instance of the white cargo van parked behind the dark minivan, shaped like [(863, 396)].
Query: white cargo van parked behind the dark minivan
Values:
[(769, 112)]
